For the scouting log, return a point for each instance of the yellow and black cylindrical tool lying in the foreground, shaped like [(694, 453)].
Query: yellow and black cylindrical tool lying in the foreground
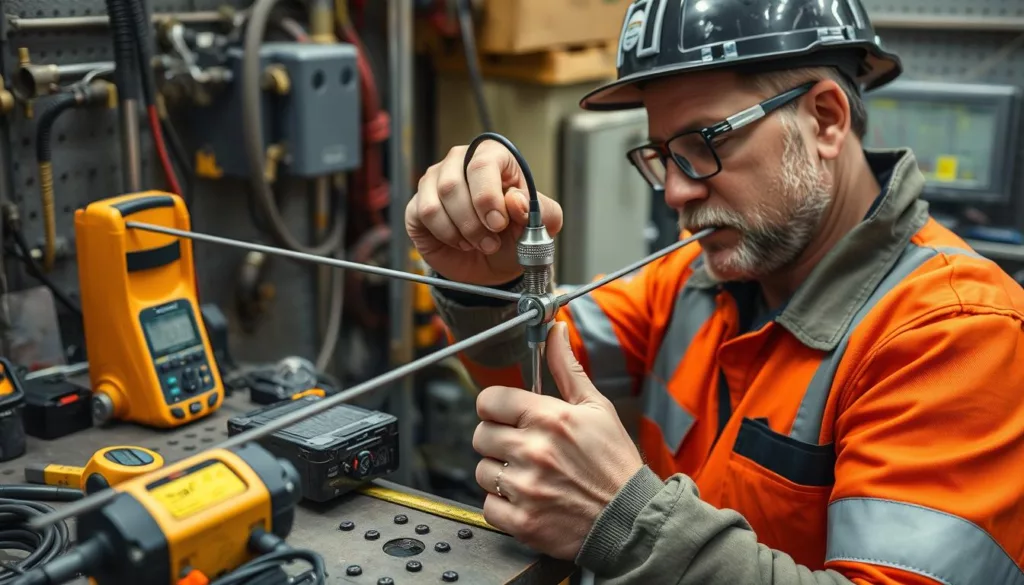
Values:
[(191, 522)]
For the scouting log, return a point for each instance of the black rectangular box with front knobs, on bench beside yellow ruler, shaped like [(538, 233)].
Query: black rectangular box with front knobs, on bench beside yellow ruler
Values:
[(335, 451)]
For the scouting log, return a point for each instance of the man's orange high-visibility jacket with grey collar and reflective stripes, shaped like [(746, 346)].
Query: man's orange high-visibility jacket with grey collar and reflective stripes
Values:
[(874, 427)]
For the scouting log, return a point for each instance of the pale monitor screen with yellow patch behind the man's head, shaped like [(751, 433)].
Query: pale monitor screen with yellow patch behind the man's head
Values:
[(953, 143)]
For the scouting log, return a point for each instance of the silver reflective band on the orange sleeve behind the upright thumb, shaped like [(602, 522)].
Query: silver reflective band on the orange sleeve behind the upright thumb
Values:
[(605, 353)]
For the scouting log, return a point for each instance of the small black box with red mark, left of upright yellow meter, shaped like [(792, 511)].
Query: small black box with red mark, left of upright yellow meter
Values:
[(56, 408)]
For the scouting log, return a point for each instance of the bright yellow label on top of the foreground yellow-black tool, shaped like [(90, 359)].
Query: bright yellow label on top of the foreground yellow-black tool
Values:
[(199, 490)]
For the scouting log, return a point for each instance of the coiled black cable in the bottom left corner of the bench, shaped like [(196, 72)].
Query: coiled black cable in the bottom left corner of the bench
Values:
[(42, 547)]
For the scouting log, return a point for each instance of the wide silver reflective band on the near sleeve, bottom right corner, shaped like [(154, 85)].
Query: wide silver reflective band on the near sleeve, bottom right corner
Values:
[(917, 539)]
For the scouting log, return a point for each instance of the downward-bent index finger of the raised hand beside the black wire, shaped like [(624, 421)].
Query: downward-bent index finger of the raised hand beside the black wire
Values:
[(492, 171)]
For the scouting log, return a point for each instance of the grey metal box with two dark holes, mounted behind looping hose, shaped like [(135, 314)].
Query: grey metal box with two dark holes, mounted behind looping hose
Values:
[(317, 120)]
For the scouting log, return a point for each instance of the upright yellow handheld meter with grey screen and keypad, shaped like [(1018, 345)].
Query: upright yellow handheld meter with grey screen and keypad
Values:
[(150, 357)]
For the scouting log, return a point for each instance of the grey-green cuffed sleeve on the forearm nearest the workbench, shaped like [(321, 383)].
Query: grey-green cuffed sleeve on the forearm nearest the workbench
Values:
[(658, 532)]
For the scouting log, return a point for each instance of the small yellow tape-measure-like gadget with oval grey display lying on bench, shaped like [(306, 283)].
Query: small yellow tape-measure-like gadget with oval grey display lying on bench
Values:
[(109, 467)]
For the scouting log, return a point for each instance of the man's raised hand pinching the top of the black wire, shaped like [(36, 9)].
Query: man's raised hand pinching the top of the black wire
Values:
[(467, 230)]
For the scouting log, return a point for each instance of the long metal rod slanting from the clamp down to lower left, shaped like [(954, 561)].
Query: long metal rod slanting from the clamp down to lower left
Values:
[(100, 498)]
